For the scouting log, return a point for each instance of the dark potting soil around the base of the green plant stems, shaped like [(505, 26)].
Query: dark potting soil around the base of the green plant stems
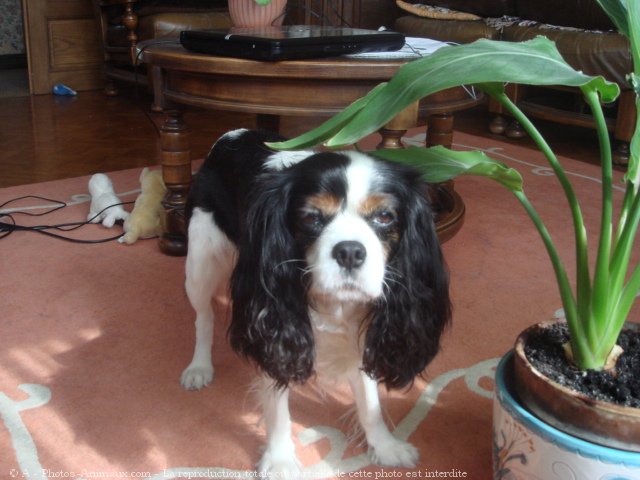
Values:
[(545, 351)]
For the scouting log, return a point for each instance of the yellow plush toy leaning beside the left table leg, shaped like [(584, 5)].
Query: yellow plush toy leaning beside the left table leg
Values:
[(146, 220)]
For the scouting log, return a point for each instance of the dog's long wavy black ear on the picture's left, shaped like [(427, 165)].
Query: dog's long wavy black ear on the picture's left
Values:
[(270, 323)]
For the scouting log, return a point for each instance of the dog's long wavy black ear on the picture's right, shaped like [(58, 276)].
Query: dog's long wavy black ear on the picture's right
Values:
[(404, 331)]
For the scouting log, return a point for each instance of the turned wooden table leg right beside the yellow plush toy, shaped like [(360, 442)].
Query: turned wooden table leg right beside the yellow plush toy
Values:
[(176, 172)]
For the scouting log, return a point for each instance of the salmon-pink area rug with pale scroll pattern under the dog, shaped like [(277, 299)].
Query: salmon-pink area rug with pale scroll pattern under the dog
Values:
[(94, 338)]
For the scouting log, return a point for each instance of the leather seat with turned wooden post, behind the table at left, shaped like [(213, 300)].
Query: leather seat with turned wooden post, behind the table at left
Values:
[(124, 23)]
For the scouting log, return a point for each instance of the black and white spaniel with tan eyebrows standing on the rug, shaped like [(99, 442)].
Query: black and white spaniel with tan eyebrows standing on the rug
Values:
[(335, 272)]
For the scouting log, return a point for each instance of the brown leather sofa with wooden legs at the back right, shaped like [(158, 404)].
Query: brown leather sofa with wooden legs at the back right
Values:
[(585, 37)]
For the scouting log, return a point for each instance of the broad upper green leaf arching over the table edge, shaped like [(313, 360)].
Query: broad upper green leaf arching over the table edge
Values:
[(535, 62)]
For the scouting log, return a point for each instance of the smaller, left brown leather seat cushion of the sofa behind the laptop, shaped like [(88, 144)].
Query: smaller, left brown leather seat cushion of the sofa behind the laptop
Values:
[(454, 31)]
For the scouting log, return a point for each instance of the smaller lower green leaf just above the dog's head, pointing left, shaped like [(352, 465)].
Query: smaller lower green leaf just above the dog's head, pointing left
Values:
[(439, 164)]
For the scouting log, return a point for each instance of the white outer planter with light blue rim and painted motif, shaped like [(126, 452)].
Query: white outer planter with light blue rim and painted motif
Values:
[(525, 447)]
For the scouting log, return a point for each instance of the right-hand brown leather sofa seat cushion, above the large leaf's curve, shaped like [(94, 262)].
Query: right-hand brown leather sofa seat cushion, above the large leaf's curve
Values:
[(595, 53)]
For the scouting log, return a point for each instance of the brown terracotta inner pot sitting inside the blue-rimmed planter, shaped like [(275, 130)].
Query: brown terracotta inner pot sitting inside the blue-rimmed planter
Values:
[(572, 412)]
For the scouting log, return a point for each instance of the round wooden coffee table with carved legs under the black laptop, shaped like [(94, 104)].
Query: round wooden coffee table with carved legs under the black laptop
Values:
[(319, 87)]
